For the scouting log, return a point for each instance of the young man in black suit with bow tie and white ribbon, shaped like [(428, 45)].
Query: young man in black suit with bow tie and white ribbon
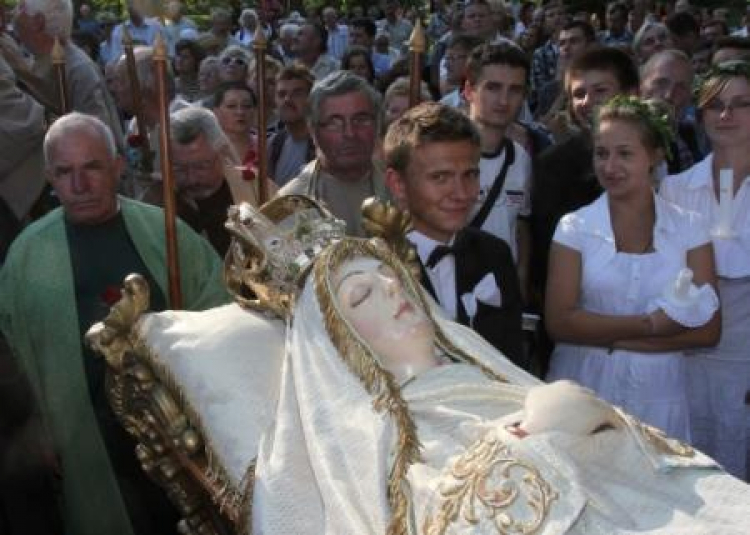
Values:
[(432, 158)]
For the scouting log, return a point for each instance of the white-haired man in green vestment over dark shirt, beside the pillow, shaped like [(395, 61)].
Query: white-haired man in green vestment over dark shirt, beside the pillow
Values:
[(61, 275)]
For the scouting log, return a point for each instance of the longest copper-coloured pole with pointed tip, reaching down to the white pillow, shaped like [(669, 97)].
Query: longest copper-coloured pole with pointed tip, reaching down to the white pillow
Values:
[(170, 206)]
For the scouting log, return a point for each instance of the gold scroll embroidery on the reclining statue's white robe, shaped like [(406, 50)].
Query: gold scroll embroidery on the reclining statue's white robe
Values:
[(489, 486)]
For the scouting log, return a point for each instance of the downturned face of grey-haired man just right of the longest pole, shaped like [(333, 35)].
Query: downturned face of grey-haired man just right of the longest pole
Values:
[(197, 168)]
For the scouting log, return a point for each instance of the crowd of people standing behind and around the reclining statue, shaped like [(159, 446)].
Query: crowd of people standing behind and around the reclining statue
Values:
[(593, 173)]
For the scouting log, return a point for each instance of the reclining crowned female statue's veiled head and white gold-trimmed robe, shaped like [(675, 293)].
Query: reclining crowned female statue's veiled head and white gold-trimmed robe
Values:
[(392, 420)]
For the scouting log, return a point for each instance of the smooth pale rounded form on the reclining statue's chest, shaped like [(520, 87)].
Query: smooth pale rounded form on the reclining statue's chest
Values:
[(565, 406)]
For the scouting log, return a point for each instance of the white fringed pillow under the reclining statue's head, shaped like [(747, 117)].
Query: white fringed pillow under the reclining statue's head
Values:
[(226, 361)]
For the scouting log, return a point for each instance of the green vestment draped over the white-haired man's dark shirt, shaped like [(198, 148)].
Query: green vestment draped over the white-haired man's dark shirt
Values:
[(39, 317)]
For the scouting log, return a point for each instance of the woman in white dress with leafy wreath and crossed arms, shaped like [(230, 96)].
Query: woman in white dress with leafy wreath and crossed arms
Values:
[(612, 262)]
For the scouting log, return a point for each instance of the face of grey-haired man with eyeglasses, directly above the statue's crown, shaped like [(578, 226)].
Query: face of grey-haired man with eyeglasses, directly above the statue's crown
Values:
[(346, 132)]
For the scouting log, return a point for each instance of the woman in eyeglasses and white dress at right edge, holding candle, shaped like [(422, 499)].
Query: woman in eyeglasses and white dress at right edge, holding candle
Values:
[(719, 378)]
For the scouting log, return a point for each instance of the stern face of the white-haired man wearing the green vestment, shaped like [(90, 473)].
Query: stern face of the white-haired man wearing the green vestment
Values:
[(85, 175)]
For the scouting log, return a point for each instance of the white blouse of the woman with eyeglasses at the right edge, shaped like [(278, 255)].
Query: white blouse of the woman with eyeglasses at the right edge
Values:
[(693, 190)]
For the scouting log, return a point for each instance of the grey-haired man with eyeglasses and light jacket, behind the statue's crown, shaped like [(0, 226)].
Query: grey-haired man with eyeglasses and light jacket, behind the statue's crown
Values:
[(344, 119)]
